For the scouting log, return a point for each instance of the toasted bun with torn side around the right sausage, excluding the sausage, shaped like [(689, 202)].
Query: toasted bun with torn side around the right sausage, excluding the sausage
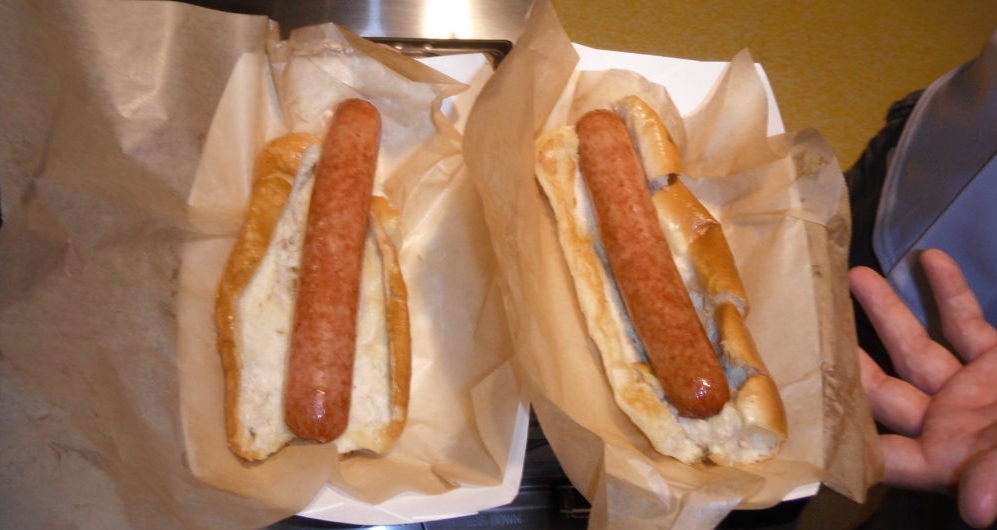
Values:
[(751, 426)]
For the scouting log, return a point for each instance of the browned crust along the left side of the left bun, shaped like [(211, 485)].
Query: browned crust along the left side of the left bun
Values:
[(275, 168)]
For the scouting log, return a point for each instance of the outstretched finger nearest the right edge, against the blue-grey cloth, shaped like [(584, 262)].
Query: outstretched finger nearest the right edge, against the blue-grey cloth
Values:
[(962, 319)]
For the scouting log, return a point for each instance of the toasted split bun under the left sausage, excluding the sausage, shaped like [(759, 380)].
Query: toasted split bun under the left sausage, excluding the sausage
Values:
[(254, 314)]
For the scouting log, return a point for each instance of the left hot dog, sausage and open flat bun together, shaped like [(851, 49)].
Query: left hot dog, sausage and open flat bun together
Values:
[(324, 279)]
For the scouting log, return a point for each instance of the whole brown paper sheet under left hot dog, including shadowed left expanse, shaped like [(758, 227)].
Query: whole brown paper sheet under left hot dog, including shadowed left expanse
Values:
[(126, 163)]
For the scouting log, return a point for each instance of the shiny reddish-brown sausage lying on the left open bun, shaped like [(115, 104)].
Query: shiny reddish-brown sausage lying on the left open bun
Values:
[(323, 339)]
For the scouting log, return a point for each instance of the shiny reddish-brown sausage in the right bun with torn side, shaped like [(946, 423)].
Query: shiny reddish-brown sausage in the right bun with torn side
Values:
[(658, 304)]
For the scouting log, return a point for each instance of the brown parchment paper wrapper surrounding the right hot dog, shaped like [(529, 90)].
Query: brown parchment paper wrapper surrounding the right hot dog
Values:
[(783, 206)]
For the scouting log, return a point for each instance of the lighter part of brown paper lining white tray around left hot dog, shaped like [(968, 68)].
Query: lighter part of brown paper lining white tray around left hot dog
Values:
[(451, 439)]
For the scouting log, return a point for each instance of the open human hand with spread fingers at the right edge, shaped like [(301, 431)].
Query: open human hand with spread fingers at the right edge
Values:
[(944, 409)]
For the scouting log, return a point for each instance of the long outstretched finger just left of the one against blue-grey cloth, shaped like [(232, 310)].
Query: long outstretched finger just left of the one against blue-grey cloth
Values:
[(917, 358)]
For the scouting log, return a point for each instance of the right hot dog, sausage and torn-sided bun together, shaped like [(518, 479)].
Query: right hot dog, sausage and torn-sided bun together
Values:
[(645, 257)]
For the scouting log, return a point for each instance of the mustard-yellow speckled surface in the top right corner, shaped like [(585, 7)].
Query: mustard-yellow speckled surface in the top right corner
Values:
[(834, 65)]
